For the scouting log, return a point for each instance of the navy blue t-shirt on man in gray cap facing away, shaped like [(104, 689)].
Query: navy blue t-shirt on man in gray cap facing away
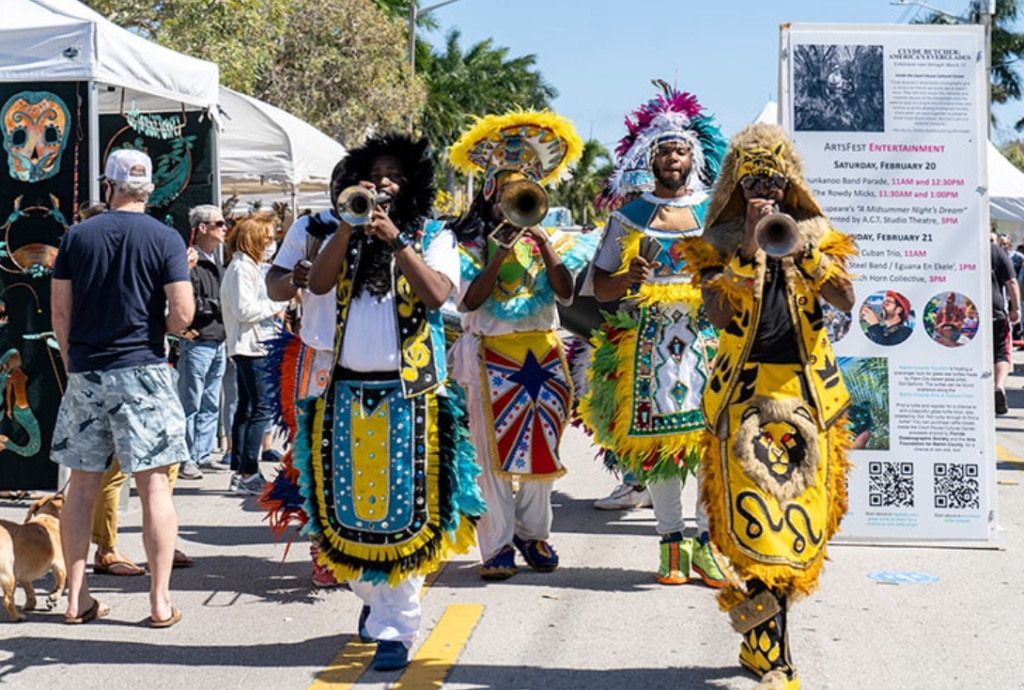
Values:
[(118, 264)]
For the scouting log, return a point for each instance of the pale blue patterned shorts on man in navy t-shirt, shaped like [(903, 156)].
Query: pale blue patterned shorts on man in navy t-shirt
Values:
[(134, 413)]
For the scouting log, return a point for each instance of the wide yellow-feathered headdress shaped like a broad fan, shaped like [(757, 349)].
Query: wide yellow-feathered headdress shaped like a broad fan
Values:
[(541, 146)]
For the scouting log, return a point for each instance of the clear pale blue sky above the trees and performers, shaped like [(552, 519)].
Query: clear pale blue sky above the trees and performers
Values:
[(602, 55)]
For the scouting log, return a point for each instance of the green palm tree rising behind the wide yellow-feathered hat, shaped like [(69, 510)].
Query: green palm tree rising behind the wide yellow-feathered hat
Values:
[(482, 81)]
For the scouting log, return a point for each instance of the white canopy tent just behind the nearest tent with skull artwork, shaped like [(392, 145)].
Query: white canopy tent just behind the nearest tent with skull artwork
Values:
[(272, 156)]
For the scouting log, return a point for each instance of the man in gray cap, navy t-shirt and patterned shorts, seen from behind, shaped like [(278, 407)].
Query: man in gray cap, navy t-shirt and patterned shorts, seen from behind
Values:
[(120, 286)]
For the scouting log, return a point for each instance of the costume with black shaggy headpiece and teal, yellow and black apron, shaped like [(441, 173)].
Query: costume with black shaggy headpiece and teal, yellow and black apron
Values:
[(381, 461)]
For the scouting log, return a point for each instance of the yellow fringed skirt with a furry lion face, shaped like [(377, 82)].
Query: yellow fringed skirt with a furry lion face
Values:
[(774, 484)]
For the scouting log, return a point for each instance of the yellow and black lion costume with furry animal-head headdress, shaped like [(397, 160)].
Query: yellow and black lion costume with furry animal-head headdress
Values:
[(775, 454)]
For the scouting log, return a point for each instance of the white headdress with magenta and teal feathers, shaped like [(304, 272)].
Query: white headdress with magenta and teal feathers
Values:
[(672, 116)]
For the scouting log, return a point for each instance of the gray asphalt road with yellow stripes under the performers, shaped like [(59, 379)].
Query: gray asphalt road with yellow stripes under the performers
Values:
[(601, 622)]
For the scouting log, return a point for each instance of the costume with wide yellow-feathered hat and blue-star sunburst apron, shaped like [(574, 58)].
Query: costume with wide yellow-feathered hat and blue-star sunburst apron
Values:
[(510, 361)]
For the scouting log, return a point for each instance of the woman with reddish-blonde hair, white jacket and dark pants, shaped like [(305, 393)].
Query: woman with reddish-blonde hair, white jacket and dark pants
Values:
[(249, 323)]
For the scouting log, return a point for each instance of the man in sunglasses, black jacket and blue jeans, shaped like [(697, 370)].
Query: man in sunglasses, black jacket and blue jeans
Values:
[(201, 362)]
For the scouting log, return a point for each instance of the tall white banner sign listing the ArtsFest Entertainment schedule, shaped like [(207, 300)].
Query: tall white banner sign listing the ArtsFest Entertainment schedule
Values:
[(890, 122)]
